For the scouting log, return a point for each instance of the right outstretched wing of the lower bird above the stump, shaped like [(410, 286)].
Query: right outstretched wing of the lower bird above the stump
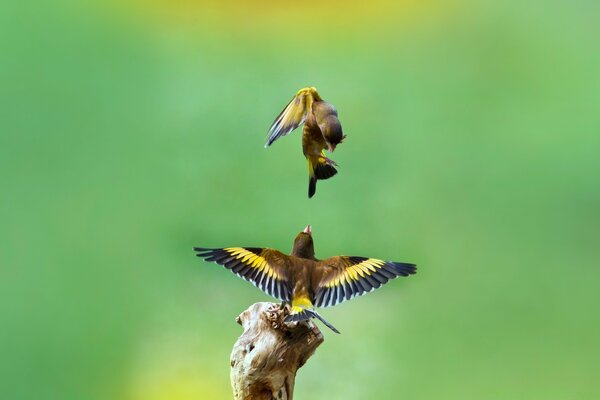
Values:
[(342, 278)]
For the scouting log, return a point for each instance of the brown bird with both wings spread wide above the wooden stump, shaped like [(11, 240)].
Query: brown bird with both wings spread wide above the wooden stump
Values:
[(302, 281)]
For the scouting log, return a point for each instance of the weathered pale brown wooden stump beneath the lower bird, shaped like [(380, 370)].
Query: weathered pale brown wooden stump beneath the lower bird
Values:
[(267, 355)]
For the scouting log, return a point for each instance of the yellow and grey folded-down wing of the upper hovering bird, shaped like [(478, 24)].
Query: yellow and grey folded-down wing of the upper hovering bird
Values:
[(293, 115)]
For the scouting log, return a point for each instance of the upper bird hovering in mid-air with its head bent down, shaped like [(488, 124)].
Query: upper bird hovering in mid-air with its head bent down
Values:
[(322, 129)]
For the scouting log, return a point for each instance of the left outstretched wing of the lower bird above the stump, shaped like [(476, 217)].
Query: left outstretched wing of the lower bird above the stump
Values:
[(267, 269)]
